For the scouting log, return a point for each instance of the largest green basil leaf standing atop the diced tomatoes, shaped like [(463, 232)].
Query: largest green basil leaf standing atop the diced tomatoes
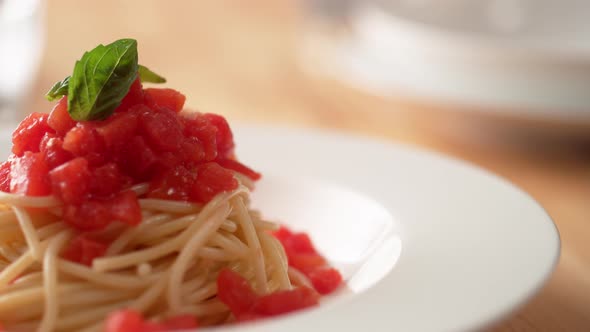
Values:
[(101, 78)]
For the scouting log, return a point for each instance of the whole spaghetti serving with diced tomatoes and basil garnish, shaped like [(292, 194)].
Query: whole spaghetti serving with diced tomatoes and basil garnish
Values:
[(121, 211)]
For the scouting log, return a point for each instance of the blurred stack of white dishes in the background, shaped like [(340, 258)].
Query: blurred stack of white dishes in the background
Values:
[(523, 57)]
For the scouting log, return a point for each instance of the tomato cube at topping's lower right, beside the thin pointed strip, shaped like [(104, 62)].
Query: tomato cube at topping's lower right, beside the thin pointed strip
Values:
[(212, 179)]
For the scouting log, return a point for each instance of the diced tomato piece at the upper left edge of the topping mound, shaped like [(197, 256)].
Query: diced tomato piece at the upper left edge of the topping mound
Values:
[(29, 133)]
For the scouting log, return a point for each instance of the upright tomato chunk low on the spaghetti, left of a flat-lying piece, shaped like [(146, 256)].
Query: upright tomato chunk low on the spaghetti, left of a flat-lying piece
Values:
[(235, 292)]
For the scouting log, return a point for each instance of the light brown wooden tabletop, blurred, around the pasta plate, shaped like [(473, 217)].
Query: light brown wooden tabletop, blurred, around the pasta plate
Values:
[(239, 58)]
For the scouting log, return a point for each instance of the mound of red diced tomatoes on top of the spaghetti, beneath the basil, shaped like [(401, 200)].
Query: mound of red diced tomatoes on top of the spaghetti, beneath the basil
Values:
[(91, 165)]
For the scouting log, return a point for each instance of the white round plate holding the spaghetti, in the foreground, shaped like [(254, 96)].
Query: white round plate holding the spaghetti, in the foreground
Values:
[(425, 243)]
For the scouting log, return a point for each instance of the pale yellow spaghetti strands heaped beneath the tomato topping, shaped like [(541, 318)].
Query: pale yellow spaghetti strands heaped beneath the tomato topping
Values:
[(163, 267)]
